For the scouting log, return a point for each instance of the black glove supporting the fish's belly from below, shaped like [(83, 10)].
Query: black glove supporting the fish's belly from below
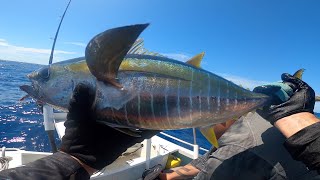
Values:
[(95, 144)]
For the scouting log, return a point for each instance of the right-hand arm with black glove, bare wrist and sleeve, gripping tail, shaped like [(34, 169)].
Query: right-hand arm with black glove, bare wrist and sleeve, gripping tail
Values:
[(296, 121)]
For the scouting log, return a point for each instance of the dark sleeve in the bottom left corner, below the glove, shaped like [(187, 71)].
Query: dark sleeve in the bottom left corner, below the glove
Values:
[(57, 166)]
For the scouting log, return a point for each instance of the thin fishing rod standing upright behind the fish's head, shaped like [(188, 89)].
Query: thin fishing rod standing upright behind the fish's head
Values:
[(48, 111)]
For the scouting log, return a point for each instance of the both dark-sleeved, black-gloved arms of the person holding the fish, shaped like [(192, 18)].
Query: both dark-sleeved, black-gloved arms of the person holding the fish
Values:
[(84, 149)]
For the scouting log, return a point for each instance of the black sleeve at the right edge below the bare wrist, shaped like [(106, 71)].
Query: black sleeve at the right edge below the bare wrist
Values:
[(305, 146)]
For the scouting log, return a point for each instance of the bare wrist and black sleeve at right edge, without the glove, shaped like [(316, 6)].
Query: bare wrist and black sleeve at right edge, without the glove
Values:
[(303, 133)]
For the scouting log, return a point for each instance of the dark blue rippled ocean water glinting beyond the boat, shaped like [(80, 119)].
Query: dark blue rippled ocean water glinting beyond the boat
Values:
[(21, 123)]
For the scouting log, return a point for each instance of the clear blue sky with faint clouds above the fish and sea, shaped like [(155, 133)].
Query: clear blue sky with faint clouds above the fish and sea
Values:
[(248, 41)]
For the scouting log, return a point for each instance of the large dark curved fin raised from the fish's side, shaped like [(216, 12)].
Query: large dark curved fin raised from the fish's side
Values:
[(105, 52)]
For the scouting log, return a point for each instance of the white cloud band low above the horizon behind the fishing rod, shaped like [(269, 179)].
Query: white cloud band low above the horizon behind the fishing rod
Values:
[(28, 54)]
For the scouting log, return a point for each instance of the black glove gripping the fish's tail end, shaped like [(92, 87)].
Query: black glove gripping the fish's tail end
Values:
[(302, 100)]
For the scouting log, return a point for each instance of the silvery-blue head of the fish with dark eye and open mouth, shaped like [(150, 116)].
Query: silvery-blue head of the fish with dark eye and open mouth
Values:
[(53, 84)]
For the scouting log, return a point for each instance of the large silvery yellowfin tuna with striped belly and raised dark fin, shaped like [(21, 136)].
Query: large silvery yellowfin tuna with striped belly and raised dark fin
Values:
[(139, 89)]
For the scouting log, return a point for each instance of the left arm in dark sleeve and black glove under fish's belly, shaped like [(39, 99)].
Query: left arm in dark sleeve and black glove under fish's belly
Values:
[(86, 147)]
